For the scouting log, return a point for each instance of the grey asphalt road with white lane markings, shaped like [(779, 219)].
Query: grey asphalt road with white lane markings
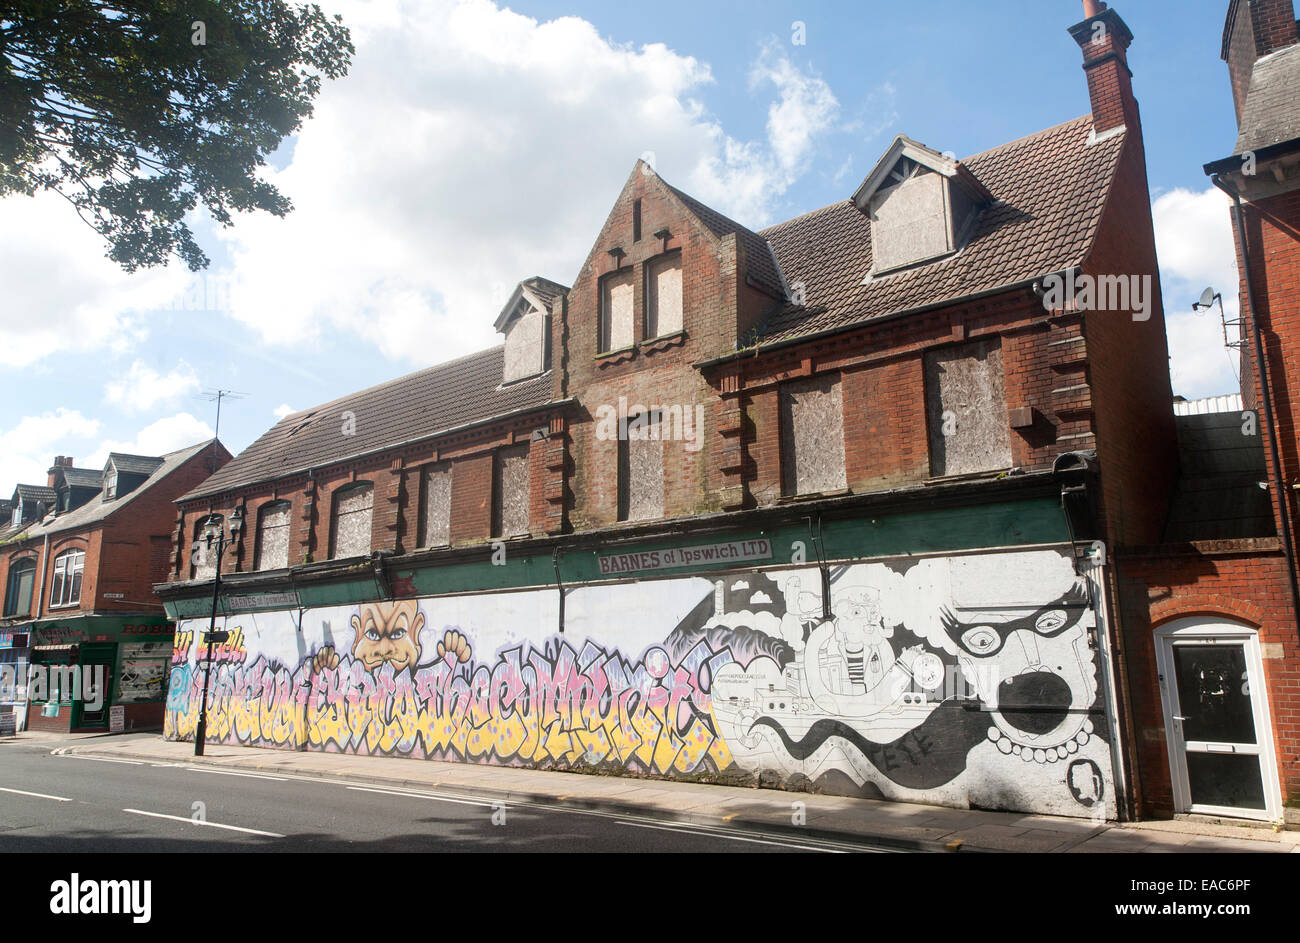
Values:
[(81, 804)]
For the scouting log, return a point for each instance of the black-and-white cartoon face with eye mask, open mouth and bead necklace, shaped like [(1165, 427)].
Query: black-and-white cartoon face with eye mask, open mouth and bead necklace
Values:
[(1045, 678)]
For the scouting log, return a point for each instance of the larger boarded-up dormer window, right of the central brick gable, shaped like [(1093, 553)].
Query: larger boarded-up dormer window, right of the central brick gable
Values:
[(922, 206)]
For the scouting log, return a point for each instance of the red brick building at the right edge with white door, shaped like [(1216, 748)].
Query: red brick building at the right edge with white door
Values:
[(1211, 613)]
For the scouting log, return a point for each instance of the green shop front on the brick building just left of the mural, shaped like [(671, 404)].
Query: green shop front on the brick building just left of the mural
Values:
[(98, 673)]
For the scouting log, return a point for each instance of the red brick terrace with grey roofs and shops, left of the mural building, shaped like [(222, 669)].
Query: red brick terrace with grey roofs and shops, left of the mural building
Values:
[(79, 560)]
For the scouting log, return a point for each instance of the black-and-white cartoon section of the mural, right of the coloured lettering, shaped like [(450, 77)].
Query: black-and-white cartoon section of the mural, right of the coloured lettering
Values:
[(968, 681)]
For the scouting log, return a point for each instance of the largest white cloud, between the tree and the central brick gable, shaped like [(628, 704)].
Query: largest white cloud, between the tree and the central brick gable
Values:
[(471, 148)]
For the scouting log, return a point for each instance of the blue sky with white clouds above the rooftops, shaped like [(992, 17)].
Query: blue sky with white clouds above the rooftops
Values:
[(475, 144)]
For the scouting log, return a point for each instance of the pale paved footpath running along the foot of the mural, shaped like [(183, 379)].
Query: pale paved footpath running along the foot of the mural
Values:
[(907, 827)]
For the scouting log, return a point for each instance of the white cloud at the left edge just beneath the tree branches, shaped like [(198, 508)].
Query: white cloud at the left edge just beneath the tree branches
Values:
[(60, 293)]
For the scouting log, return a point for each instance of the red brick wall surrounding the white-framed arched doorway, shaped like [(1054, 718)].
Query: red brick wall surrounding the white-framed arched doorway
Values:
[(1247, 587)]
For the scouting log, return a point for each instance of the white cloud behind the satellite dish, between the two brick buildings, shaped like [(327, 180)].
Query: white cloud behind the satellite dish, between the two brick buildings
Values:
[(1194, 240)]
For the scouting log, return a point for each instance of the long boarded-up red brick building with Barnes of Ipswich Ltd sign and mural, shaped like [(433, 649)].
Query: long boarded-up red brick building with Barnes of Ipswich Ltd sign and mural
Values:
[(830, 507)]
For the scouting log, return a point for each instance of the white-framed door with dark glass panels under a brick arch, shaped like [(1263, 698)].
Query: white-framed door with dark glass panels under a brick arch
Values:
[(1217, 720)]
